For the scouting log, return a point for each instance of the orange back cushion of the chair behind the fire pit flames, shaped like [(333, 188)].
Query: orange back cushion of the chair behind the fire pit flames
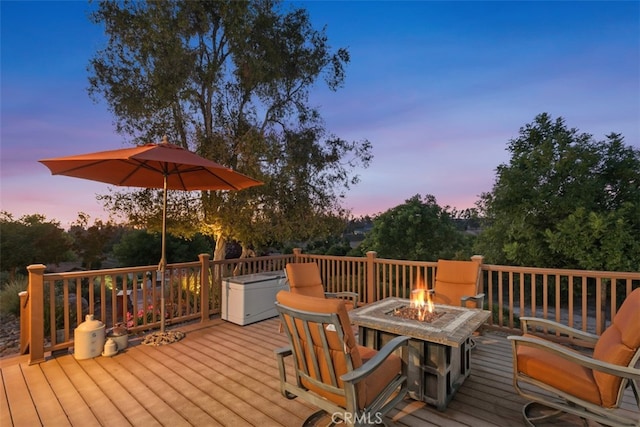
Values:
[(454, 280)]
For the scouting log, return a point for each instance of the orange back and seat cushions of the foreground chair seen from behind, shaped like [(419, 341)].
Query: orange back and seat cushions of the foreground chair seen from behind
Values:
[(367, 389)]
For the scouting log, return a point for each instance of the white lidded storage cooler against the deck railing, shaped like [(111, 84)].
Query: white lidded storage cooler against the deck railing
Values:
[(248, 299)]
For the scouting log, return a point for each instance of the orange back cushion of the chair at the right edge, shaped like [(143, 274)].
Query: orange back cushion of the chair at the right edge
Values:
[(618, 344)]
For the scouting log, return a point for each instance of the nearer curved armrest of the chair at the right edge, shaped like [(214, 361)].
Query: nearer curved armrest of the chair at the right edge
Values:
[(581, 359)]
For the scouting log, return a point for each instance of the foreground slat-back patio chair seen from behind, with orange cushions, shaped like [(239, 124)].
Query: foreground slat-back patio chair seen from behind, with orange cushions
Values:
[(328, 364)]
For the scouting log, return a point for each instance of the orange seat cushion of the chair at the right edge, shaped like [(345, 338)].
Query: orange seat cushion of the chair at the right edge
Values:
[(557, 372)]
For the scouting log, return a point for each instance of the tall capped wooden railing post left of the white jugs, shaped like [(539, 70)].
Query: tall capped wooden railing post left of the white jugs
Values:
[(35, 313)]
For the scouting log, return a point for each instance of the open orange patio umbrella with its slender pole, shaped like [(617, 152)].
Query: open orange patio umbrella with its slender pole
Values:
[(162, 165)]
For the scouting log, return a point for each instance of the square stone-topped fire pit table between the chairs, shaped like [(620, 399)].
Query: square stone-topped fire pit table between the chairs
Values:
[(438, 359)]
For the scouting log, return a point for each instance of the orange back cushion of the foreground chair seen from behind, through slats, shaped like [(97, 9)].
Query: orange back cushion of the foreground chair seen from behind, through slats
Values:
[(340, 351)]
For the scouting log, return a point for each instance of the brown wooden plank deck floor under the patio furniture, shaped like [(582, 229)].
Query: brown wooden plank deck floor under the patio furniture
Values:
[(222, 374)]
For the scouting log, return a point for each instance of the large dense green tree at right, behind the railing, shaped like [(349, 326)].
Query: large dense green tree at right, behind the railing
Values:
[(564, 201)]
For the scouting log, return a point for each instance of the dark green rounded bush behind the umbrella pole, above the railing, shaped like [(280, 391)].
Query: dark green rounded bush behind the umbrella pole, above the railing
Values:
[(138, 247)]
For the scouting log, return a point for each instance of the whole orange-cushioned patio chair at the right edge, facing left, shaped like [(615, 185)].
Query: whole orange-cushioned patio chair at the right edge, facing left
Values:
[(589, 384)]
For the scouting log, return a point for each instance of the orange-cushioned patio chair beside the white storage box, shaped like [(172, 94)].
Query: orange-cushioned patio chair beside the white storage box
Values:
[(304, 279)]
